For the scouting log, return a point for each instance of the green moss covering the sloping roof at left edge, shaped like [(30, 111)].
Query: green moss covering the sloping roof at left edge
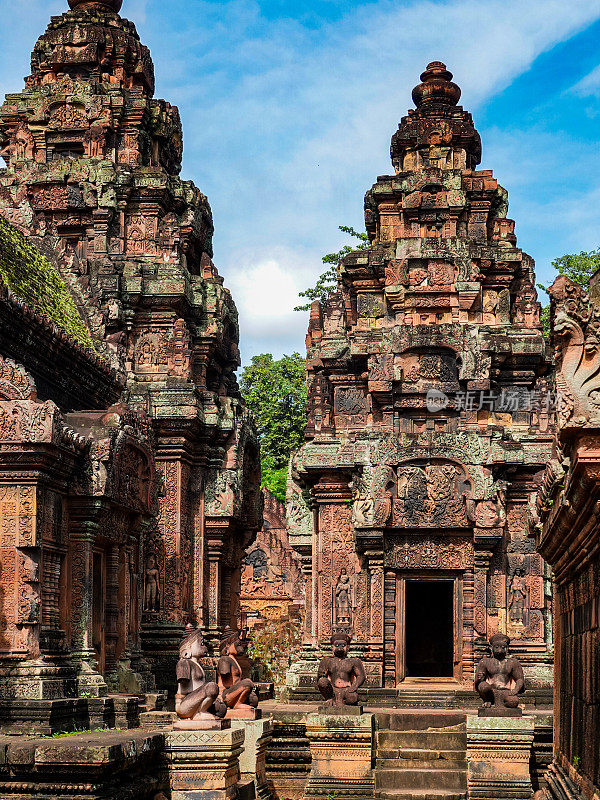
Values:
[(34, 279)]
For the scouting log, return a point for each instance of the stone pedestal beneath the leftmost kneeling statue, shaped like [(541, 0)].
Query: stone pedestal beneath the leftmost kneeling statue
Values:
[(204, 765)]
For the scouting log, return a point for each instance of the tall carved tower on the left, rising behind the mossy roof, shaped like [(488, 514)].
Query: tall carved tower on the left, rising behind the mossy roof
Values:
[(93, 163)]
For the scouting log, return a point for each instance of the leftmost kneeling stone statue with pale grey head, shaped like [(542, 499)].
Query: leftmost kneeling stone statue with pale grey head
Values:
[(197, 702)]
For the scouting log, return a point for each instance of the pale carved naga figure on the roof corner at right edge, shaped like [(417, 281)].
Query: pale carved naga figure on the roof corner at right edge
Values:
[(577, 352)]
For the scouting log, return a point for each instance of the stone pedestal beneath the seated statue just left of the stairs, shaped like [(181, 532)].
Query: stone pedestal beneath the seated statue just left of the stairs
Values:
[(341, 746)]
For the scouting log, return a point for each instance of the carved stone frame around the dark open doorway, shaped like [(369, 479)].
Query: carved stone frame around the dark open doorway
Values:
[(456, 579)]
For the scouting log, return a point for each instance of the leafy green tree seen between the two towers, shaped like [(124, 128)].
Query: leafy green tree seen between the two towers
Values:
[(275, 391)]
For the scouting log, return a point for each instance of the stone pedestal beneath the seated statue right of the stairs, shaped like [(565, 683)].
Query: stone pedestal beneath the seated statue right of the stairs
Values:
[(498, 755)]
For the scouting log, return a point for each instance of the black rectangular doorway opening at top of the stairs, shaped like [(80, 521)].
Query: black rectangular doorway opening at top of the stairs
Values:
[(429, 629)]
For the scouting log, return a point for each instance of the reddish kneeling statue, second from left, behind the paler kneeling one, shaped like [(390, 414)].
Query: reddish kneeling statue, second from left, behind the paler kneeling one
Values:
[(238, 693)]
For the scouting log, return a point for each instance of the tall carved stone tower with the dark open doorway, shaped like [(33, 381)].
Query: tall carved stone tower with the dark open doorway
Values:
[(429, 422)]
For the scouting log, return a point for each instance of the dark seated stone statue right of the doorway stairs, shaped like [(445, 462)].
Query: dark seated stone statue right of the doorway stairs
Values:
[(500, 680)]
